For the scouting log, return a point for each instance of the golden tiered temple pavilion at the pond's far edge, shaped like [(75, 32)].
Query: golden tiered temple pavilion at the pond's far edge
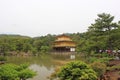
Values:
[(64, 43)]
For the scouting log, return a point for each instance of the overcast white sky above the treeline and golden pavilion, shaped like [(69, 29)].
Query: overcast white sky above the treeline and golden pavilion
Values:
[(42, 17)]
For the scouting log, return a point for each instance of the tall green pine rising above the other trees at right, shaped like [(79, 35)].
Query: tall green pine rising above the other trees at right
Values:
[(101, 30)]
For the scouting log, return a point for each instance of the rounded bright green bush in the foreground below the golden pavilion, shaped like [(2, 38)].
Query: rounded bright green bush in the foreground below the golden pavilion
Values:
[(76, 71)]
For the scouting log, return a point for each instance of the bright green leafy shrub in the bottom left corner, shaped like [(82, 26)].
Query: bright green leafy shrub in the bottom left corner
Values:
[(15, 72)]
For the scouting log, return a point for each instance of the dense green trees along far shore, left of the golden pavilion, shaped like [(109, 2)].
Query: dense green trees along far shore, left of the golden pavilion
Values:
[(9, 43)]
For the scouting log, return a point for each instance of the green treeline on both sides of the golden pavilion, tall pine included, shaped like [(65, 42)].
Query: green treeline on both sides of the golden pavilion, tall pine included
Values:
[(103, 34)]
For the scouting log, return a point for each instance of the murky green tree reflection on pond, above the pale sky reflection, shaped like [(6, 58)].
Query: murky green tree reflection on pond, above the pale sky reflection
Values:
[(47, 61)]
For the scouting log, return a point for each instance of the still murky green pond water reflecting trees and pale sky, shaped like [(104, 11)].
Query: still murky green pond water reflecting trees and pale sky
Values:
[(44, 65)]
